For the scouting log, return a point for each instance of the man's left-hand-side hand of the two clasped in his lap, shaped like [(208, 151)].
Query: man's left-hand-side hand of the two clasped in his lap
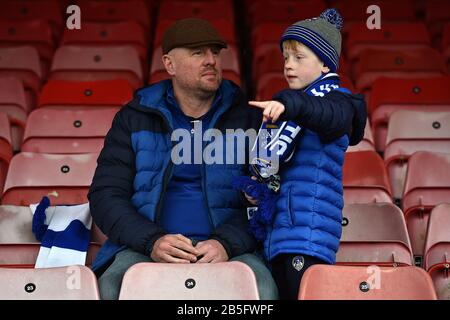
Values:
[(174, 248)]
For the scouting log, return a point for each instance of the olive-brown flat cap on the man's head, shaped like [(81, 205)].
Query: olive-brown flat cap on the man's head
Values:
[(189, 33)]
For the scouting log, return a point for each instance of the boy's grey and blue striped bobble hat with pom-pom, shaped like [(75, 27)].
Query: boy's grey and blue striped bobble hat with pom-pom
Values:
[(322, 35)]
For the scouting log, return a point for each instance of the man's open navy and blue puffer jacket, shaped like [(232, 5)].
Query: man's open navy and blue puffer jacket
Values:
[(134, 169)]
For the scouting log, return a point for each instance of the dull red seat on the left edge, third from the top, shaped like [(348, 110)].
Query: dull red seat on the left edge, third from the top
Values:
[(23, 63)]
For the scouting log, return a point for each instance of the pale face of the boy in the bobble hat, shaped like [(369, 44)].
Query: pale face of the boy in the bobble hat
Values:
[(301, 65)]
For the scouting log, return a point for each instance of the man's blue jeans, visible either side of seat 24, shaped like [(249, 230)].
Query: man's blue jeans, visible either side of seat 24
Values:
[(110, 281)]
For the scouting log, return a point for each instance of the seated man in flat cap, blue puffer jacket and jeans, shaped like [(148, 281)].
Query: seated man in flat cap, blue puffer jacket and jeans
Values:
[(153, 208)]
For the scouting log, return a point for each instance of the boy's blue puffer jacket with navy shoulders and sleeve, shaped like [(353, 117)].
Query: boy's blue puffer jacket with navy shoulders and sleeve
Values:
[(309, 209)]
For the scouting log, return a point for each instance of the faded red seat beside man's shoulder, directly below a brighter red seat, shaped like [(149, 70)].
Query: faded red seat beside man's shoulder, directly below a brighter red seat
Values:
[(67, 131)]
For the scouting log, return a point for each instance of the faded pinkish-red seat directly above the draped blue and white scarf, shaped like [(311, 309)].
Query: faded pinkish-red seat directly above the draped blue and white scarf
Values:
[(65, 178)]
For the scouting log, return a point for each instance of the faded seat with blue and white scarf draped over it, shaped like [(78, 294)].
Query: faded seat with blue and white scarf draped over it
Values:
[(18, 245)]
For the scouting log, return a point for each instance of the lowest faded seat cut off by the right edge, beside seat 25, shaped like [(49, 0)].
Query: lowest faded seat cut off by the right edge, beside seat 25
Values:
[(437, 249)]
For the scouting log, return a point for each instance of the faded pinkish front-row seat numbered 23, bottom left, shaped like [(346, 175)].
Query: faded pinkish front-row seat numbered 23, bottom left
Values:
[(48, 284)]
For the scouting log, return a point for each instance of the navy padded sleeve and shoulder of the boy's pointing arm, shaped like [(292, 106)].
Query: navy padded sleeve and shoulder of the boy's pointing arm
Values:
[(331, 116)]
